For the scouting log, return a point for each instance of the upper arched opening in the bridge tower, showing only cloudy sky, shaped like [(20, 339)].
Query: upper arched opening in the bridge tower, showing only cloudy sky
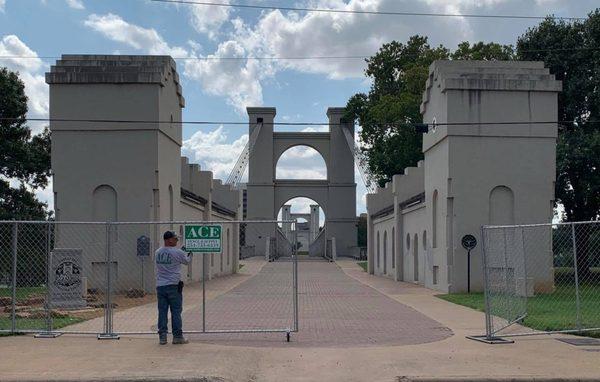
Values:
[(301, 162)]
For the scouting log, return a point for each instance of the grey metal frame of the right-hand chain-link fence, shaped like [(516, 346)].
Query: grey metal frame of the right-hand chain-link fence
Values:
[(492, 334)]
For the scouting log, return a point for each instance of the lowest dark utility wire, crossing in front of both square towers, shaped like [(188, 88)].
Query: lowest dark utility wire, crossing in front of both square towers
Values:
[(237, 123)]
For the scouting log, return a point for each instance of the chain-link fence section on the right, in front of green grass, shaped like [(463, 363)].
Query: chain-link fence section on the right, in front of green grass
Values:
[(542, 278)]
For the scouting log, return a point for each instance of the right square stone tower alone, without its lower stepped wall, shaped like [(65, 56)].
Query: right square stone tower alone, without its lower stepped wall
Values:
[(486, 162)]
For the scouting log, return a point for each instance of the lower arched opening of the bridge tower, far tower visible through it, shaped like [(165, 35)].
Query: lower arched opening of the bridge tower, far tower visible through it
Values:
[(310, 225)]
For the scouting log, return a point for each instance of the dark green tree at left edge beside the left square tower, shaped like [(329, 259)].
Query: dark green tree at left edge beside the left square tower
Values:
[(23, 158)]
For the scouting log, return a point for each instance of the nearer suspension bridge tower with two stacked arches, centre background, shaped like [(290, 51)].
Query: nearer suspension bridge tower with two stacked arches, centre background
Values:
[(336, 195)]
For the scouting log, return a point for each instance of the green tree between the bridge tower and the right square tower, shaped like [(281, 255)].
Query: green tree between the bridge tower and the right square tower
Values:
[(387, 114)]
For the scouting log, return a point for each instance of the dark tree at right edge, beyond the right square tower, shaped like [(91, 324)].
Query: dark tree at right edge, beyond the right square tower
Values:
[(570, 51)]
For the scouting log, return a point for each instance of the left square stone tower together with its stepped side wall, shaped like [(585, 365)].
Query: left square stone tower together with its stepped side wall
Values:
[(124, 171)]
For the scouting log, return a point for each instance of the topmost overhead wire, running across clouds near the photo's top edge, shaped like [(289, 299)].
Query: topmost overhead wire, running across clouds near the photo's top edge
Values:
[(361, 12)]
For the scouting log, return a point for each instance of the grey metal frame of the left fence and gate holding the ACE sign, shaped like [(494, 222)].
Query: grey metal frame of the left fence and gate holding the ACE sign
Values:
[(108, 331)]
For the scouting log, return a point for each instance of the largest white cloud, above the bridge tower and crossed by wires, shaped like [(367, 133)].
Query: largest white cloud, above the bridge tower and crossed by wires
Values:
[(293, 34)]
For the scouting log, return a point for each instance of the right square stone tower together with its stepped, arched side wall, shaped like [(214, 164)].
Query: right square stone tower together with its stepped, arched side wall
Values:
[(475, 172)]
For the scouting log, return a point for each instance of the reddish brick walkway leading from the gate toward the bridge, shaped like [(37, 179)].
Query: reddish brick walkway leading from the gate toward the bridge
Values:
[(335, 310)]
